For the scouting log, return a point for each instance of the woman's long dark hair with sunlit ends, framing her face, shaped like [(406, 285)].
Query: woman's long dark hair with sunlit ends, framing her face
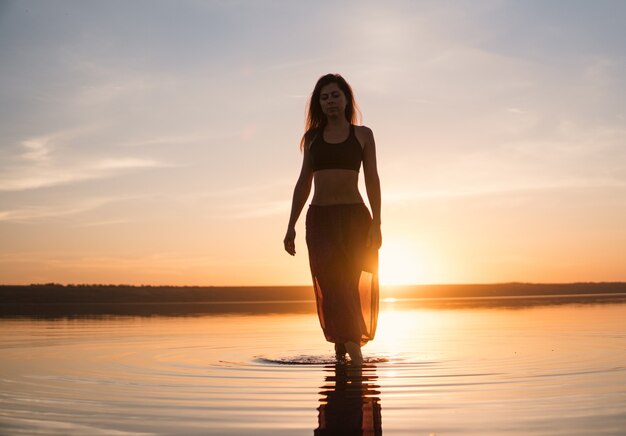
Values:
[(315, 117)]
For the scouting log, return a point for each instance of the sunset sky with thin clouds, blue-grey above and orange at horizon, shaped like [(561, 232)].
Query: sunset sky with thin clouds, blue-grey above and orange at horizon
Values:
[(152, 142)]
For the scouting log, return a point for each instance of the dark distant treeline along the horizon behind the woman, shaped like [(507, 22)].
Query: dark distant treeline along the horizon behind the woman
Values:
[(54, 293)]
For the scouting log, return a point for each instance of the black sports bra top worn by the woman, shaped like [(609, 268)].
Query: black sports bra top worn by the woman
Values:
[(343, 155)]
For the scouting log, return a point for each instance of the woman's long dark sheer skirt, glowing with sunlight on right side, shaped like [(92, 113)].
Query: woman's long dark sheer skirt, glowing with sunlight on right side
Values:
[(344, 271)]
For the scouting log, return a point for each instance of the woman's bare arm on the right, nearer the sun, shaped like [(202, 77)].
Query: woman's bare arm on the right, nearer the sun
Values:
[(372, 186)]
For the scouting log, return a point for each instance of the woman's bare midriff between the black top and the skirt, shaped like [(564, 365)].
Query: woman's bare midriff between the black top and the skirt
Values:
[(336, 186)]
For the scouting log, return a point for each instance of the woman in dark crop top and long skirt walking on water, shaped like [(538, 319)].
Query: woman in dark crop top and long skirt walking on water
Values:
[(342, 238)]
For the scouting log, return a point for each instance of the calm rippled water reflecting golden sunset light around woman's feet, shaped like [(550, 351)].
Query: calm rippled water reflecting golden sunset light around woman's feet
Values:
[(558, 369)]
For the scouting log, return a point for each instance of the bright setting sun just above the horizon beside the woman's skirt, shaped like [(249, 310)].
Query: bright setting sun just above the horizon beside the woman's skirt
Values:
[(399, 264)]
